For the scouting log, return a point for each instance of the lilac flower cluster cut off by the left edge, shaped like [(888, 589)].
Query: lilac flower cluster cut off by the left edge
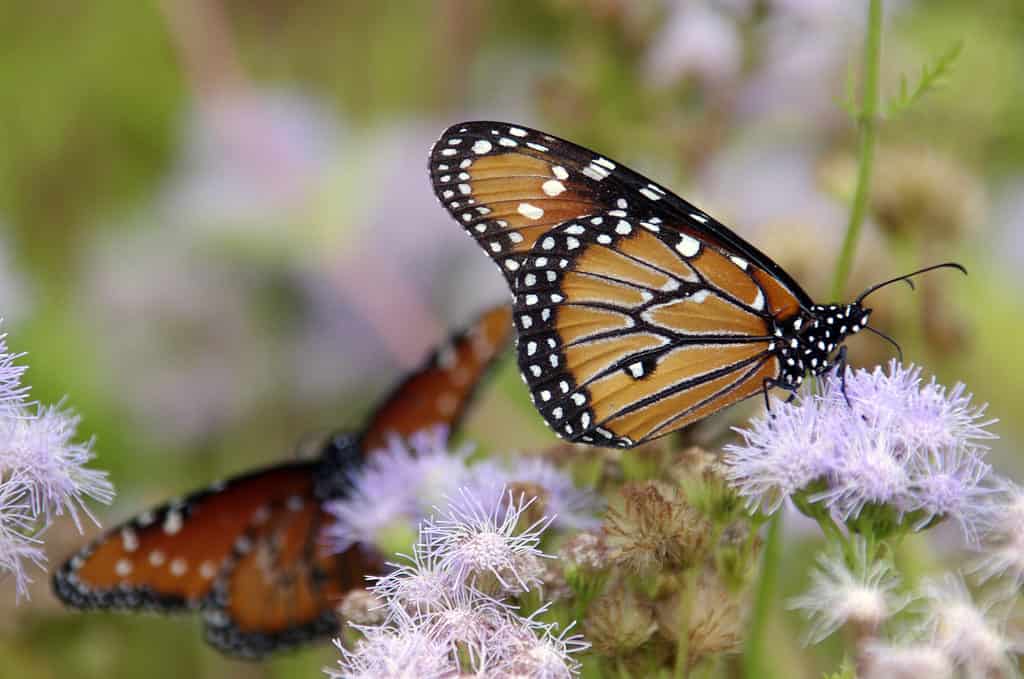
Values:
[(44, 473)]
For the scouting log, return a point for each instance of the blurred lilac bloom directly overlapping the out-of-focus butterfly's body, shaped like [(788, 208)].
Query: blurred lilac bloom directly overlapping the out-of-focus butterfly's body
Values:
[(395, 490)]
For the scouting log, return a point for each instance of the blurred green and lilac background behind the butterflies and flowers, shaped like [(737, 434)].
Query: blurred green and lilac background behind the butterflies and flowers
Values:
[(219, 240)]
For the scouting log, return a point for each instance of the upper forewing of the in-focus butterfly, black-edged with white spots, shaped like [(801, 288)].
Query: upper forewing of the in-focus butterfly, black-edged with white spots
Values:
[(509, 185)]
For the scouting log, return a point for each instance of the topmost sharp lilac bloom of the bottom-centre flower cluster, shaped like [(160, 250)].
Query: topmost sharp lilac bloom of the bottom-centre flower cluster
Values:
[(476, 540)]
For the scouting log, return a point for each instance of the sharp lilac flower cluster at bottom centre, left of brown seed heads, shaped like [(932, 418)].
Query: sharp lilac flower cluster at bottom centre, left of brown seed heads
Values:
[(448, 611)]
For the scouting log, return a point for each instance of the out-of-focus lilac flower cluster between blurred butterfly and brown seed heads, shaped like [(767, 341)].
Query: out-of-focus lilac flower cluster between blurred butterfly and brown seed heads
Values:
[(400, 487)]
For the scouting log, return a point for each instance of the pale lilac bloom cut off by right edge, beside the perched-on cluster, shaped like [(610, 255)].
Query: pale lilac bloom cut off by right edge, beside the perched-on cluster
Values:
[(1003, 539)]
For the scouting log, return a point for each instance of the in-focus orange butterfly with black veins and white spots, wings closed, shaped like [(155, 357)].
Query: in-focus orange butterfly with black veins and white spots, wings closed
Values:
[(636, 313)]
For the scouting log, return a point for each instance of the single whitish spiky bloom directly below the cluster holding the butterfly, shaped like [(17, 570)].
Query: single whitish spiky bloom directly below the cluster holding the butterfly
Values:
[(862, 595)]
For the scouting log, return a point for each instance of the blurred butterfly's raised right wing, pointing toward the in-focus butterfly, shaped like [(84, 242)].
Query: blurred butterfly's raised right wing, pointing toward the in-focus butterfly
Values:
[(441, 391)]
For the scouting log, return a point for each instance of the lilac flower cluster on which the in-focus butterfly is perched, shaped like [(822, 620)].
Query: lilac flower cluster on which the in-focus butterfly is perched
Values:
[(869, 443)]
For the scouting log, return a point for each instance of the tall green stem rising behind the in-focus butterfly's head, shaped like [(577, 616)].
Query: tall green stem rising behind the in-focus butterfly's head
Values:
[(868, 125)]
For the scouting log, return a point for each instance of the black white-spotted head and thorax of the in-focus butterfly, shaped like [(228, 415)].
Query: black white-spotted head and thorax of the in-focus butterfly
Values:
[(808, 341)]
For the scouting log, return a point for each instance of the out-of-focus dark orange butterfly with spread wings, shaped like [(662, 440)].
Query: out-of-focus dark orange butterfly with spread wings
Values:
[(247, 553)]
